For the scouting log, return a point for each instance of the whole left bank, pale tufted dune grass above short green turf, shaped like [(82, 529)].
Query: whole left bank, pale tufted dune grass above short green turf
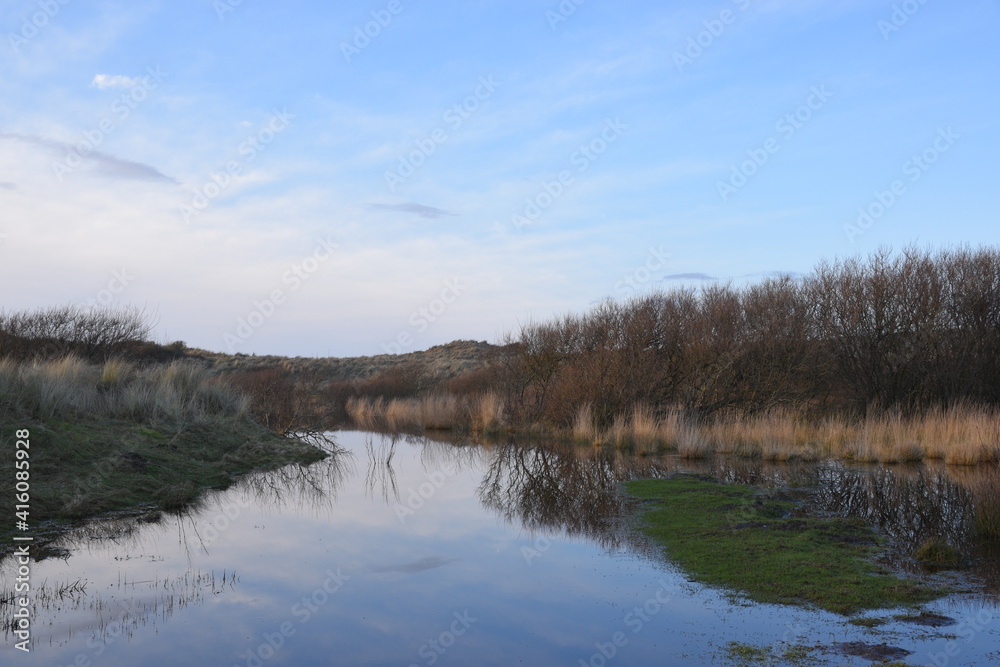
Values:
[(113, 436)]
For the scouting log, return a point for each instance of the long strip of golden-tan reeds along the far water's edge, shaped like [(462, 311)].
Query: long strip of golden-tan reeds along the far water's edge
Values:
[(963, 435)]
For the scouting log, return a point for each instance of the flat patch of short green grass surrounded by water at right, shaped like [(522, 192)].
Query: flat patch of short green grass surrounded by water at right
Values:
[(742, 539)]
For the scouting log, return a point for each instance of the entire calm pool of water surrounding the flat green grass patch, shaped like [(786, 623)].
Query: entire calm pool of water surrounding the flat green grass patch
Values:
[(407, 551)]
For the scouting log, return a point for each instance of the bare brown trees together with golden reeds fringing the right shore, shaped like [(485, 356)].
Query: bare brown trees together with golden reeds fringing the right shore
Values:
[(890, 359)]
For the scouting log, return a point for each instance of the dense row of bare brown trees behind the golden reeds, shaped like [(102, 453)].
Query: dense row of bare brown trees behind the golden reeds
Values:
[(904, 331)]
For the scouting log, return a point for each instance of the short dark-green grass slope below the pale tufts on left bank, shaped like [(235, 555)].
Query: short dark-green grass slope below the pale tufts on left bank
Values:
[(86, 466)]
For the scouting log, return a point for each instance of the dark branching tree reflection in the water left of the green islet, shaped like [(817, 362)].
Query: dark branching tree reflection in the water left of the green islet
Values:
[(553, 487)]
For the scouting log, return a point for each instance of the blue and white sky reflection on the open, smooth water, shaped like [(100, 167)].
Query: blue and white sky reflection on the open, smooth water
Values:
[(549, 596)]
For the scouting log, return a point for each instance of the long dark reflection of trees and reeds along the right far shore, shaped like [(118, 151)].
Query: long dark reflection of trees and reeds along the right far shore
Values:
[(551, 487)]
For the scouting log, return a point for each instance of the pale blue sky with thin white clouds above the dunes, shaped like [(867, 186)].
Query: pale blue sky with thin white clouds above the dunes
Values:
[(309, 178)]
